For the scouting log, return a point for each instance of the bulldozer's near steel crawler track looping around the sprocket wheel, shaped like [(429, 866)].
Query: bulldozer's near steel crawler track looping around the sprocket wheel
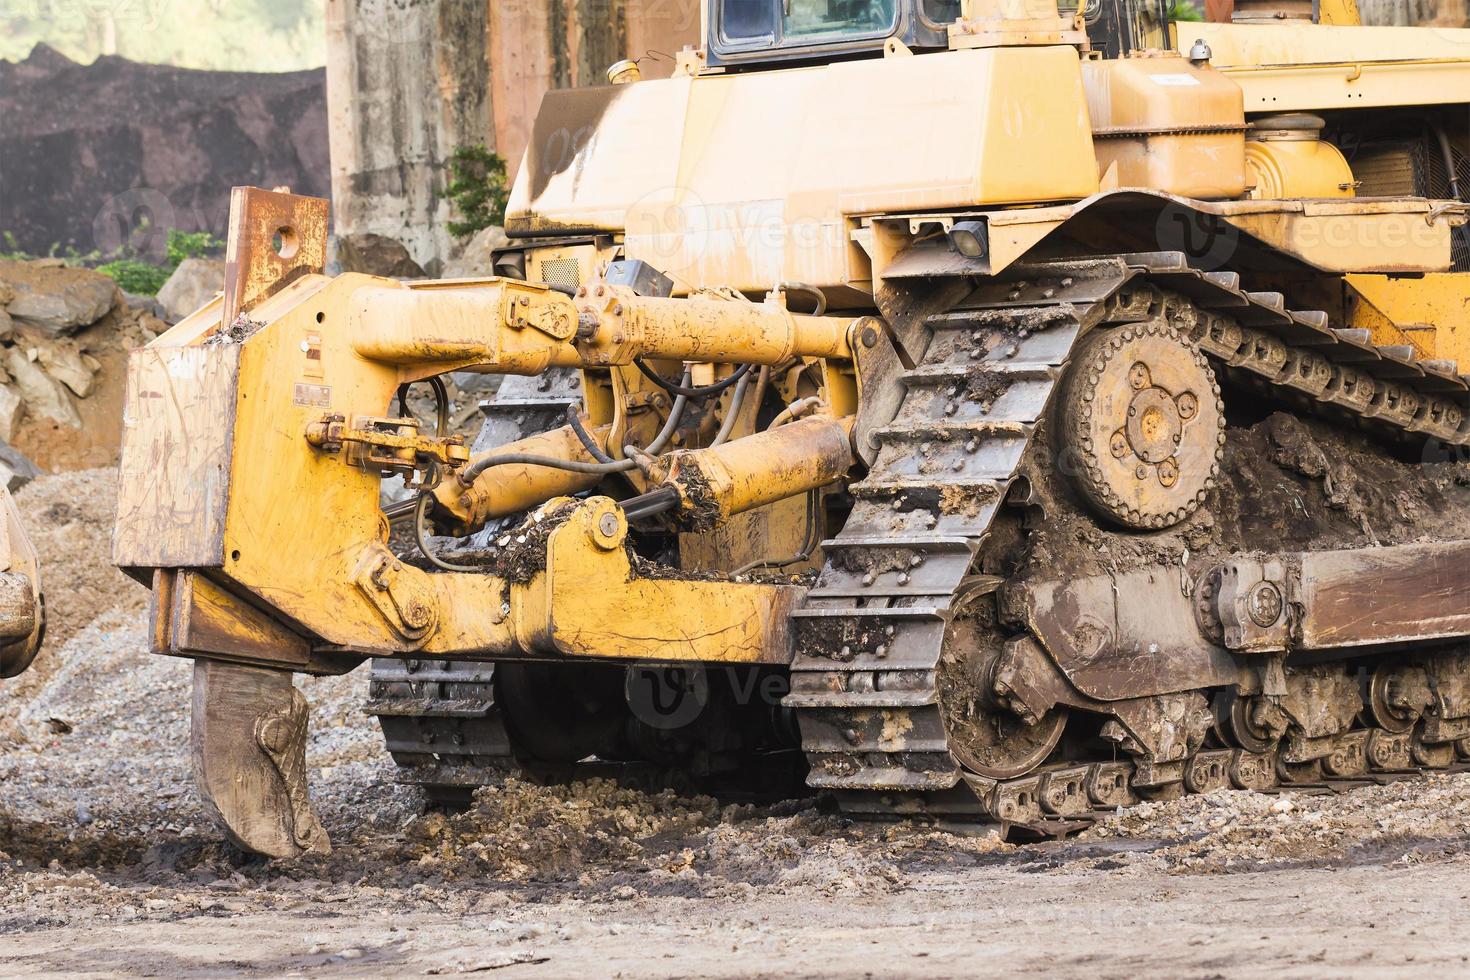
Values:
[(872, 633)]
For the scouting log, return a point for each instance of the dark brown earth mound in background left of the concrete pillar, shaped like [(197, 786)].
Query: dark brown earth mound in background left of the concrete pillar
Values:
[(148, 140)]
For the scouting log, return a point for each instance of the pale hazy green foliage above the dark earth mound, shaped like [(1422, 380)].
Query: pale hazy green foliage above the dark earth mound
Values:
[(243, 36)]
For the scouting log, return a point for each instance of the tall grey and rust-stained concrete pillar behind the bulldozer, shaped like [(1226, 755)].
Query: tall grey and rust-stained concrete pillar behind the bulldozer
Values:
[(409, 82)]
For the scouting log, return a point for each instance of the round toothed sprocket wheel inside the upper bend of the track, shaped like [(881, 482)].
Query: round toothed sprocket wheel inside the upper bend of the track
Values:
[(1144, 419)]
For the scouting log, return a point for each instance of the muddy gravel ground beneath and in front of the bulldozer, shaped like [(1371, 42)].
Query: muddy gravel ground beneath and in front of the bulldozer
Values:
[(110, 868)]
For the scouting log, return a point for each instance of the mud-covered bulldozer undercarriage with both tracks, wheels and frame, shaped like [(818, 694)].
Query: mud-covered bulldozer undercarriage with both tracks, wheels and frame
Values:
[(1127, 533)]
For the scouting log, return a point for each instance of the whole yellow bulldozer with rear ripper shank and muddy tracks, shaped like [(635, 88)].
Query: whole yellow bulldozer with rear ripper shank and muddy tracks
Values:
[(969, 409)]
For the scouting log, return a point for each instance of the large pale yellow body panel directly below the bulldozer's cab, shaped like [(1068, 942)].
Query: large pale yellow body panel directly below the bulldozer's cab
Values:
[(749, 180)]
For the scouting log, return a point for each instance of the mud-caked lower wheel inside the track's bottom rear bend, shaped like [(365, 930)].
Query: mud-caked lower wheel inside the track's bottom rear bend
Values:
[(984, 737)]
